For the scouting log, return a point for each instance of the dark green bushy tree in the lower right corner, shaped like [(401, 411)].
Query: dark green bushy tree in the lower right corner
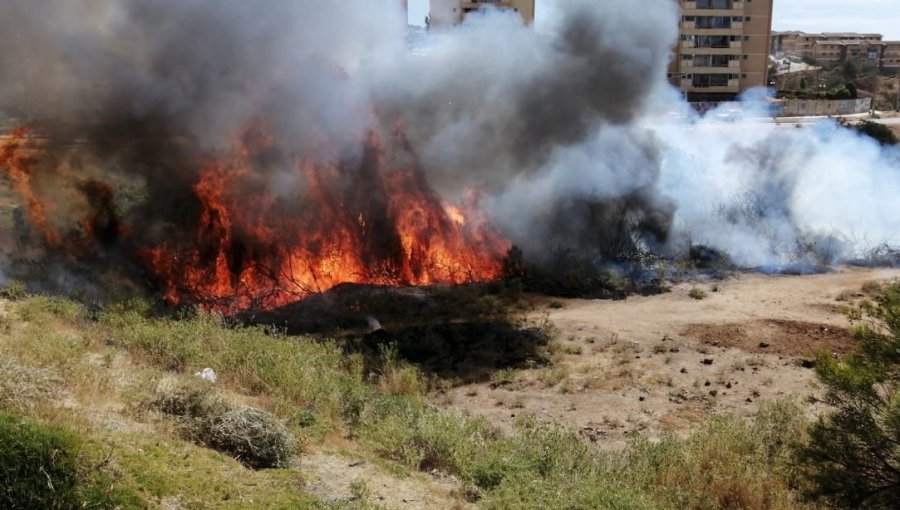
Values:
[(853, 454)]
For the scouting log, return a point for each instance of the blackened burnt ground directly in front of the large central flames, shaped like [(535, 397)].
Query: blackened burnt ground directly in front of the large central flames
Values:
[(462, 332)]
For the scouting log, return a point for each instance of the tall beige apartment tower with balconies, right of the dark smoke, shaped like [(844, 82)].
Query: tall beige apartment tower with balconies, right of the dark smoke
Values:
[(723, 49)]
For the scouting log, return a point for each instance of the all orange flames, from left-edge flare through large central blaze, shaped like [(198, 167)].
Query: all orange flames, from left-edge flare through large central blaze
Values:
[(255, 245)]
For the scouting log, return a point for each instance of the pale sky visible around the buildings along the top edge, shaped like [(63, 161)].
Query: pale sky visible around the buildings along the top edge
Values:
[(879, 16)]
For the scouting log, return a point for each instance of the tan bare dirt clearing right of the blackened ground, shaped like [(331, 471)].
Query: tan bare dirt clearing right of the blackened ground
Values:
[(649, 365)]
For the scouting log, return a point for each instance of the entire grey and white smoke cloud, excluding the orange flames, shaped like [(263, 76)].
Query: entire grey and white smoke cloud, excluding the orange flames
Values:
[(555, 130)]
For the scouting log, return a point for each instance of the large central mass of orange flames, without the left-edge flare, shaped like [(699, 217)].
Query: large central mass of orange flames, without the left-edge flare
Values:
[(371, 222)]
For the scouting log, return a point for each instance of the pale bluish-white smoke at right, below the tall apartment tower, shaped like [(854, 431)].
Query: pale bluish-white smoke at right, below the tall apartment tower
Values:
[(765, 193)]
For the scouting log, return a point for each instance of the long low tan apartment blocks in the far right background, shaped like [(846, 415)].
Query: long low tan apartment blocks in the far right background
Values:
[(830, 48)]
